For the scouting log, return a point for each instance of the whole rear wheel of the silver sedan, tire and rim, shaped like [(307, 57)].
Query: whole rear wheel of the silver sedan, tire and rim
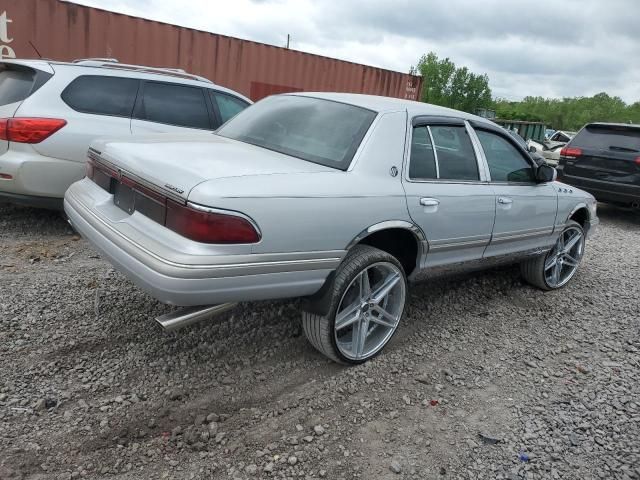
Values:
[(346, 295)]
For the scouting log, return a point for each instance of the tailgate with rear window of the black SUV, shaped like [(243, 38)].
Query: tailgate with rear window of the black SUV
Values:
[(608, 153)]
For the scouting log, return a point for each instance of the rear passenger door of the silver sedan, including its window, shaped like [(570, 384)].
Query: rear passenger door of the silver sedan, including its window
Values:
[(447, 194)]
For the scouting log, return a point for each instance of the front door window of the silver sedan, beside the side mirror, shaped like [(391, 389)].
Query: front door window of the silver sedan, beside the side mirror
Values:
[(506, 163)]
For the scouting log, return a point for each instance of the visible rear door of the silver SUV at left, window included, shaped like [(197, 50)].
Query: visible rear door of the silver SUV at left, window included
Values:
[(171, 107)]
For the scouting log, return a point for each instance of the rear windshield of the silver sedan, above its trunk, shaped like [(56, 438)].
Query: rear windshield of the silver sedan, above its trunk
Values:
[(312, 129)]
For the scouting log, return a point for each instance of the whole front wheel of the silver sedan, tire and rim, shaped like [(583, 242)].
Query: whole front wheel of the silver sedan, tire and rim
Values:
[(536, 271)]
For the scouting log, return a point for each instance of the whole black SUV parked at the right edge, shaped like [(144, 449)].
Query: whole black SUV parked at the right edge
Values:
[(604, 159)]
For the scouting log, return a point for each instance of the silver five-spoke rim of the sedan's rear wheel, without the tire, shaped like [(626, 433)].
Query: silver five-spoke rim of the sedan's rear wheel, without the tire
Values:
[(369, 310)]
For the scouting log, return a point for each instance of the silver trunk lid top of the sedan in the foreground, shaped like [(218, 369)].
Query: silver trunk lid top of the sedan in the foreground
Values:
[(177, 163)]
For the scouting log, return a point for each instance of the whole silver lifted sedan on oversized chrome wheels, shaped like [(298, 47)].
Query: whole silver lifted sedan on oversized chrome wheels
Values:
[(340, 198)]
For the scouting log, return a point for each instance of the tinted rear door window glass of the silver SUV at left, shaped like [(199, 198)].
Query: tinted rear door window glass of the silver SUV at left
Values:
[(178, 105)]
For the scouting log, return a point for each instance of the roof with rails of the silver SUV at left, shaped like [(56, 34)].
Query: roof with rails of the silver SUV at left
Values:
[(144, 72)]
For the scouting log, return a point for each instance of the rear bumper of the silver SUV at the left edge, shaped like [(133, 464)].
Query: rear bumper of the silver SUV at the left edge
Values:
[(35, 179)]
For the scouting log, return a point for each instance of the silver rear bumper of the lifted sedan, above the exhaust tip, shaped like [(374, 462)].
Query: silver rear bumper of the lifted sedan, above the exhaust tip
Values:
[(255, 277)]
